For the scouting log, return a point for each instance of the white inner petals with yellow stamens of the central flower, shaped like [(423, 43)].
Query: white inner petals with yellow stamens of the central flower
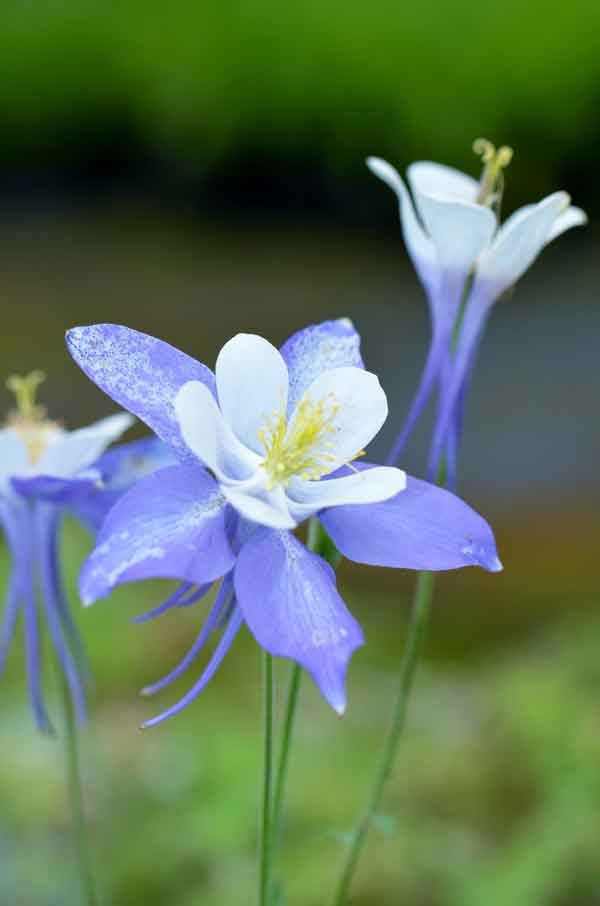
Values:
[(269, 449)]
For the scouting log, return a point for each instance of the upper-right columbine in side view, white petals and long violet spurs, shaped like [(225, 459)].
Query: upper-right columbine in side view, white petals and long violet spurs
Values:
[(452, 231)]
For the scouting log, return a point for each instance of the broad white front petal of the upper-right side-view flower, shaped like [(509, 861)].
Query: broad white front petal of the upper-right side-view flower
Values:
[(459, 230)]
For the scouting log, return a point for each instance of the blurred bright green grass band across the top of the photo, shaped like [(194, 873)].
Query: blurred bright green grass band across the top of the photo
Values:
[(198, 86)]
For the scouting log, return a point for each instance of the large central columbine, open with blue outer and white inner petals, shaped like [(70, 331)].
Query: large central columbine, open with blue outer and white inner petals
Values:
[(268, 441)]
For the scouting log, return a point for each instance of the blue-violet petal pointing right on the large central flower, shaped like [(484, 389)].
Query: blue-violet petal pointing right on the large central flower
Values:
[(423, 527)]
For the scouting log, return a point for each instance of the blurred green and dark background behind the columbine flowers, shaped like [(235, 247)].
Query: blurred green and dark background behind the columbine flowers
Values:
[(197, 170)]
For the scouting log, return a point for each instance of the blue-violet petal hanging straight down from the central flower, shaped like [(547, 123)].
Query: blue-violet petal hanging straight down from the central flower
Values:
[(290, 602)]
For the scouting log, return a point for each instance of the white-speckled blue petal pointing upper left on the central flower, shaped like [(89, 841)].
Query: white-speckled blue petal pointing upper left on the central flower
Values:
[(141, 373)]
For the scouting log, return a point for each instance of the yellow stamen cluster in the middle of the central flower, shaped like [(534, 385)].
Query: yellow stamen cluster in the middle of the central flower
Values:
[(301, 448)]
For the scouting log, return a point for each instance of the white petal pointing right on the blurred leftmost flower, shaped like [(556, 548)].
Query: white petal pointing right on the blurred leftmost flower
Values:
[(71, 451)]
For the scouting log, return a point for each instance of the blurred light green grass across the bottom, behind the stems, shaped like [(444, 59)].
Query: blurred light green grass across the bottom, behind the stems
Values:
[(496, 798)]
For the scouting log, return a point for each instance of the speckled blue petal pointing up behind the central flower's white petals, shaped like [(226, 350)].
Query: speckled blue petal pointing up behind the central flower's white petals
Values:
[(313, 350)]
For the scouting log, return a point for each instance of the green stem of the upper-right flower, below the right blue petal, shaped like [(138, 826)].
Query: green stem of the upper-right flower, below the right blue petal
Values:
[(410, 659)]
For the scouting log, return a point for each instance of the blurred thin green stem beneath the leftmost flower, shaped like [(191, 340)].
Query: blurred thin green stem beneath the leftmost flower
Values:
[(80, 836)]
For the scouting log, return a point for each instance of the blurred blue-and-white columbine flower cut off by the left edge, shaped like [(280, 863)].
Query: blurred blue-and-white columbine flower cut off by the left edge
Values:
[(45, 470)]
